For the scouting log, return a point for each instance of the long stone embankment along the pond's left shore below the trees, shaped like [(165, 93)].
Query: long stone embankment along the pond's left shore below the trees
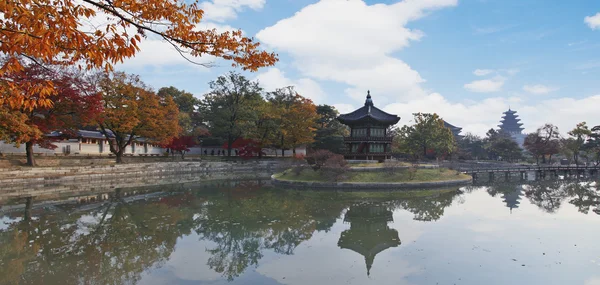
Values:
[(67, 181)]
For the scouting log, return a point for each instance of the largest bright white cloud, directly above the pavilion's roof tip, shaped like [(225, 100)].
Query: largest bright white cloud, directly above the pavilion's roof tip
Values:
[(351, 42)]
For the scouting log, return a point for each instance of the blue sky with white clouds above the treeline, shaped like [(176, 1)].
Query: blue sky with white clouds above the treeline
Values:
[(466, 60)]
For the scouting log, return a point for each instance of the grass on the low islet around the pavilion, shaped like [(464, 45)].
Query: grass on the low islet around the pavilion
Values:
[(400, 175)]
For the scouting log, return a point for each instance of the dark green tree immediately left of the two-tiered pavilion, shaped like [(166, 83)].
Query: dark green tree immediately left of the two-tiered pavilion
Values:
[(330, 132)]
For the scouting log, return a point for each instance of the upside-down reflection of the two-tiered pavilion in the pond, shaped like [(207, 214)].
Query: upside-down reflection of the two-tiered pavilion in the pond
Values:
[(369, 233)]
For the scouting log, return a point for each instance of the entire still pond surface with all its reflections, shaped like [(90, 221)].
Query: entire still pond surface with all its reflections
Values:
[(247, 232)]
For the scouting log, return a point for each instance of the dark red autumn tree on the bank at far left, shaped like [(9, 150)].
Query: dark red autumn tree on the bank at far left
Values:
[(75, 105)]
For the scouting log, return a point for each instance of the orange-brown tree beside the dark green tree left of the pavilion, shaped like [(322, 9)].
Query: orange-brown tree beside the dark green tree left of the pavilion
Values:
[(298, 116)]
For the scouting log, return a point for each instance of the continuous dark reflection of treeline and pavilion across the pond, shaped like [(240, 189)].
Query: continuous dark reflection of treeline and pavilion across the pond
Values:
[(114, 238)]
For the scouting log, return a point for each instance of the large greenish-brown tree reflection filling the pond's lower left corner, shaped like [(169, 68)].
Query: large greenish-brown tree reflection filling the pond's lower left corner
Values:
[(122, 241)]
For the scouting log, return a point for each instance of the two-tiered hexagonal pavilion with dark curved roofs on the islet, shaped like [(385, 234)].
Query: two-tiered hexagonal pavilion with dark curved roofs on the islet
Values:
[(369, 138)]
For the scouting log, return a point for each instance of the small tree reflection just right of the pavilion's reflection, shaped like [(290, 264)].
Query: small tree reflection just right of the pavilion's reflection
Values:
[(429, 208)]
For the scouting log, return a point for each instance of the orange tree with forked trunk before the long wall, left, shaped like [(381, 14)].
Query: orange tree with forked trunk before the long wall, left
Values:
[(132, 110)]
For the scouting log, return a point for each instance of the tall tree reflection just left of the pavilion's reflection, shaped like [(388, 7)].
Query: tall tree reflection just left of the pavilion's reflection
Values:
[(242, 227)]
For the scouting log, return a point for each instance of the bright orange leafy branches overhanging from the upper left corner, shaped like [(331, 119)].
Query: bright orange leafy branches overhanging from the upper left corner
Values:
[(98, 34)]
